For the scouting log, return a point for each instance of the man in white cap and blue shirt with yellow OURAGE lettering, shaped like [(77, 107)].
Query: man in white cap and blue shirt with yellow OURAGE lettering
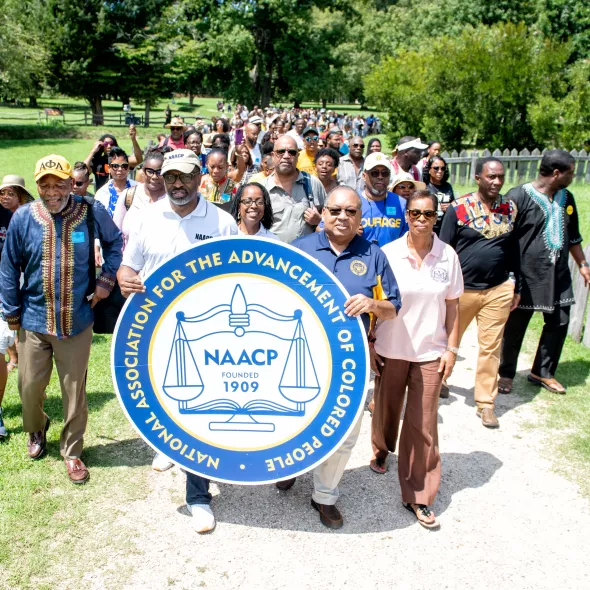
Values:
[(383, 212)]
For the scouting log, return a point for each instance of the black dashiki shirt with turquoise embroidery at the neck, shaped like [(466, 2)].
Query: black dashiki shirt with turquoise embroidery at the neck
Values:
[(546, 230)]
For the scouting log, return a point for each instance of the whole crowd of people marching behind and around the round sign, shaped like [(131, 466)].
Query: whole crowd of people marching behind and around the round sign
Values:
[(419, 262)]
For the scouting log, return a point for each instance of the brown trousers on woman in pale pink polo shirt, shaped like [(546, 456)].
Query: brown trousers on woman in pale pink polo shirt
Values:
[(418, 456)]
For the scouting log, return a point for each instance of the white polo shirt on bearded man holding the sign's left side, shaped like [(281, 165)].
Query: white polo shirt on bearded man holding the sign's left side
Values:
[(160, 233)]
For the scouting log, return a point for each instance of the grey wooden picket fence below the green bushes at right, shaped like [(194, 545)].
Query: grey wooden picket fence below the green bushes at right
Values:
[(520, 166)]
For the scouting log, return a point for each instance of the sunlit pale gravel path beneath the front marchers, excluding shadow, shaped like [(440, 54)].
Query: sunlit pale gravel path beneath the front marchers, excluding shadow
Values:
[(507, 520)]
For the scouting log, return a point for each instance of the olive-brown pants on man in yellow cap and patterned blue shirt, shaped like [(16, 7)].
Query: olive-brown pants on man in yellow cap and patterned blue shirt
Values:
[(36, 354)]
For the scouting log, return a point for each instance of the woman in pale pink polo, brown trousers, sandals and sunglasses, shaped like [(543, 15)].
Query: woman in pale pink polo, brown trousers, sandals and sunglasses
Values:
[(417, 350)]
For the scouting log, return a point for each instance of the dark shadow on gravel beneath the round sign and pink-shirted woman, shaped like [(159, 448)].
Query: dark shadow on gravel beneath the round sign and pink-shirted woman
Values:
[(369, 502)]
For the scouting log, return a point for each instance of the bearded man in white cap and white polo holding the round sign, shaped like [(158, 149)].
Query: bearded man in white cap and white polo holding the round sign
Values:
[(166, 229)]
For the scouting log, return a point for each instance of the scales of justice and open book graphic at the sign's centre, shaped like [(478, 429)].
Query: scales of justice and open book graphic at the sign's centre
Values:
[(239, 330)]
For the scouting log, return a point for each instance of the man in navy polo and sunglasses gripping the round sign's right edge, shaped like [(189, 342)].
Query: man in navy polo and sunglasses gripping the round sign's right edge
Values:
[(365, 273)]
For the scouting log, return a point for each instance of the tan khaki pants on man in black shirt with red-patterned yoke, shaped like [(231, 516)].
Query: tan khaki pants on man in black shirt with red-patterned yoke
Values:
[(490, 308)]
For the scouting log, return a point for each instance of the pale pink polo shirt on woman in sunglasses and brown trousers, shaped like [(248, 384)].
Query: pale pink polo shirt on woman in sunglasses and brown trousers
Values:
[(418, 333)]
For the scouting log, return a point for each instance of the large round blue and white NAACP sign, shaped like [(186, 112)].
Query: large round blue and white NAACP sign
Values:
[(238, 362)]
